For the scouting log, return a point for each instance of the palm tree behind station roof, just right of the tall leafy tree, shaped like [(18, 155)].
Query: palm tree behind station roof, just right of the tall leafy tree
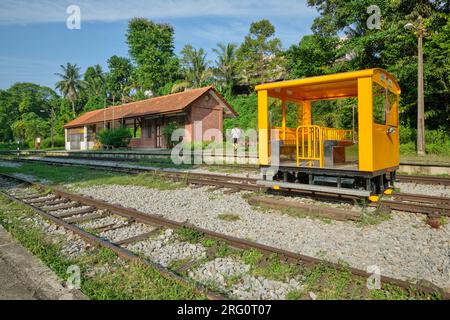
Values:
[(195, 67)]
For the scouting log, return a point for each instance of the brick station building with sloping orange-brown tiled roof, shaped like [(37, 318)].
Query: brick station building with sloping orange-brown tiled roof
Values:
[(147, 118)]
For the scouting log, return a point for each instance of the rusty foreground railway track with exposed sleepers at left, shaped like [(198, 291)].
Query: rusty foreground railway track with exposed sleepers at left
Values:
[(46, 201)]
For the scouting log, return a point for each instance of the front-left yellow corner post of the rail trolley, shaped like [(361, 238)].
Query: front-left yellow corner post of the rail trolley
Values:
[(263, 126)]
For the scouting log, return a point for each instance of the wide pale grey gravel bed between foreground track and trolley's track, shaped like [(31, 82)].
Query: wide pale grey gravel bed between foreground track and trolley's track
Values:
[(403, 247)]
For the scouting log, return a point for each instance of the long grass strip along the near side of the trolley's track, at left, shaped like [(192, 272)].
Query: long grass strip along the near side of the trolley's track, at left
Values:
[(84, 177)]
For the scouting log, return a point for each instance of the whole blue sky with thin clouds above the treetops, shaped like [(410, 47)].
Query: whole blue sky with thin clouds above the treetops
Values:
[(35, 39)]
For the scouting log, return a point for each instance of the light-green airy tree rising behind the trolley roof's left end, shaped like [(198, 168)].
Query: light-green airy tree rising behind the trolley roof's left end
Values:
[(259, 55)]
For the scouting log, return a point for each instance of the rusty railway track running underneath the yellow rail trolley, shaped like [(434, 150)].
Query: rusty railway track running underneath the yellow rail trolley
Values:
[(423, 204)]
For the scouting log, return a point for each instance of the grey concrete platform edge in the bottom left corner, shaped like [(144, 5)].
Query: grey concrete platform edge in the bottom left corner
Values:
[(24, 277)]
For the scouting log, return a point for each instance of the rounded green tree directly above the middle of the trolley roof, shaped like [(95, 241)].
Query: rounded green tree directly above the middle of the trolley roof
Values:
[(314, 55)]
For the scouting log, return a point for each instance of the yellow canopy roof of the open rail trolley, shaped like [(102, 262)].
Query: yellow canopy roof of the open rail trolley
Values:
[(340, 85)]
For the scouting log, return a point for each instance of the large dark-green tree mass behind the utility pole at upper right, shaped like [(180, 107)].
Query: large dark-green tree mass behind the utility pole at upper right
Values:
[(394, 48)]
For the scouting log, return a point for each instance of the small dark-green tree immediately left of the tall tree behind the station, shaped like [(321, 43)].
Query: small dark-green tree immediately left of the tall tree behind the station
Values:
[(119, 78)]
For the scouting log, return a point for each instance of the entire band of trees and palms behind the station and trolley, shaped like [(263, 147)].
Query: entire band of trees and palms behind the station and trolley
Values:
[(340, 41)]
